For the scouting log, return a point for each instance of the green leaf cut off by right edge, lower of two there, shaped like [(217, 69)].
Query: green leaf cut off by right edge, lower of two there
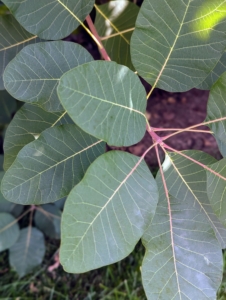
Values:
[(216, 187)]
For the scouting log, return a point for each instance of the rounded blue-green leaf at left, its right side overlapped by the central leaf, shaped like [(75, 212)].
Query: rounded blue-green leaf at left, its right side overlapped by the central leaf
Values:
[(33, 75)]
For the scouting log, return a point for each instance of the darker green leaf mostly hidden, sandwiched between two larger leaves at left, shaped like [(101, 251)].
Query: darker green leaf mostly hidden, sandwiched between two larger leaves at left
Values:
[(28, 123)]
